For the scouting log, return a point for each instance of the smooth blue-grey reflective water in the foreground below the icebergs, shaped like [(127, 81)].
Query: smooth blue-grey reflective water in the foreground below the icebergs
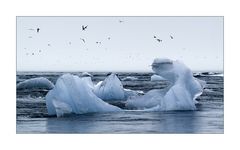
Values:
[(129, 122)]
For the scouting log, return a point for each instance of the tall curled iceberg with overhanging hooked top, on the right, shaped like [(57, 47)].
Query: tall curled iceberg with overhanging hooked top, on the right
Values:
[(180, 95)]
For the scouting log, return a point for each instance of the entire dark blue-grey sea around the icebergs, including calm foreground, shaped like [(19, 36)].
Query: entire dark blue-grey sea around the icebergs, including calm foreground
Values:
[(32, 114)]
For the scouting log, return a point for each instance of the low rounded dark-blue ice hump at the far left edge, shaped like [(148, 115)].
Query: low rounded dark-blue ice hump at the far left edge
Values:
[(35, 83)]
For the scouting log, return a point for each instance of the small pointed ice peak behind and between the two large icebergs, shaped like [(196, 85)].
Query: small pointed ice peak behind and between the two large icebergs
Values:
[(110, 89)]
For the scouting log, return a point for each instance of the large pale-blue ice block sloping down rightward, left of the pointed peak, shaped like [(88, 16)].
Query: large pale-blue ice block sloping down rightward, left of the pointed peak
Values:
[(72, 94)]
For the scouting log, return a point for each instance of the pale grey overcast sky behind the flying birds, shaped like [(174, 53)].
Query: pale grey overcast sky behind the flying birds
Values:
[(197, 41)]
